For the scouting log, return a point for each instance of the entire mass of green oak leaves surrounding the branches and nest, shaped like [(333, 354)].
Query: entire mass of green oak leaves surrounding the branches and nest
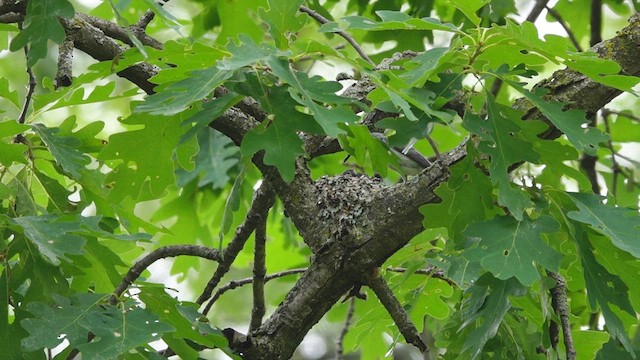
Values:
[(167, 178)]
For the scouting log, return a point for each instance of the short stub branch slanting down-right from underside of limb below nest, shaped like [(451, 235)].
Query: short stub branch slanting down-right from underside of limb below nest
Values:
[(397, 312)]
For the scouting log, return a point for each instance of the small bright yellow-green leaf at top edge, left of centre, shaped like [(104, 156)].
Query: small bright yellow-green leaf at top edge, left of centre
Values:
[(284, 20)]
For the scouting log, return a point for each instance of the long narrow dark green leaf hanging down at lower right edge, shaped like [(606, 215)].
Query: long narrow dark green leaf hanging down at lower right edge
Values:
[(604, 289)]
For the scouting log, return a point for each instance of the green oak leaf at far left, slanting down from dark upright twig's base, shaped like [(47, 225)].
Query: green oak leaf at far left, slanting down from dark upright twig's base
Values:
[(64, 149)]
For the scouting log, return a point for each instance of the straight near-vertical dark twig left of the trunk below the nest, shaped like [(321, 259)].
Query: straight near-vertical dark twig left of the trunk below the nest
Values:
[(259, 272)]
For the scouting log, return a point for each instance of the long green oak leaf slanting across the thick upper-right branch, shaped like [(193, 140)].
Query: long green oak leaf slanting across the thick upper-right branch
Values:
[(570, 122)]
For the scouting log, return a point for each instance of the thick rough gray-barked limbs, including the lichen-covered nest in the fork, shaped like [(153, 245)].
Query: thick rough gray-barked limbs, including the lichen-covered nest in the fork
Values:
[(351, 234)]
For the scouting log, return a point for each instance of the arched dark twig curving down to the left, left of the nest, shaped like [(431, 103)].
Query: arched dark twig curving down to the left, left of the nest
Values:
[(161, 253)]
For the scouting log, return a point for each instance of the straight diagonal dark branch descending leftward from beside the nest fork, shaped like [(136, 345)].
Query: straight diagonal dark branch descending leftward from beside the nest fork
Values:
[(262, 202)]
